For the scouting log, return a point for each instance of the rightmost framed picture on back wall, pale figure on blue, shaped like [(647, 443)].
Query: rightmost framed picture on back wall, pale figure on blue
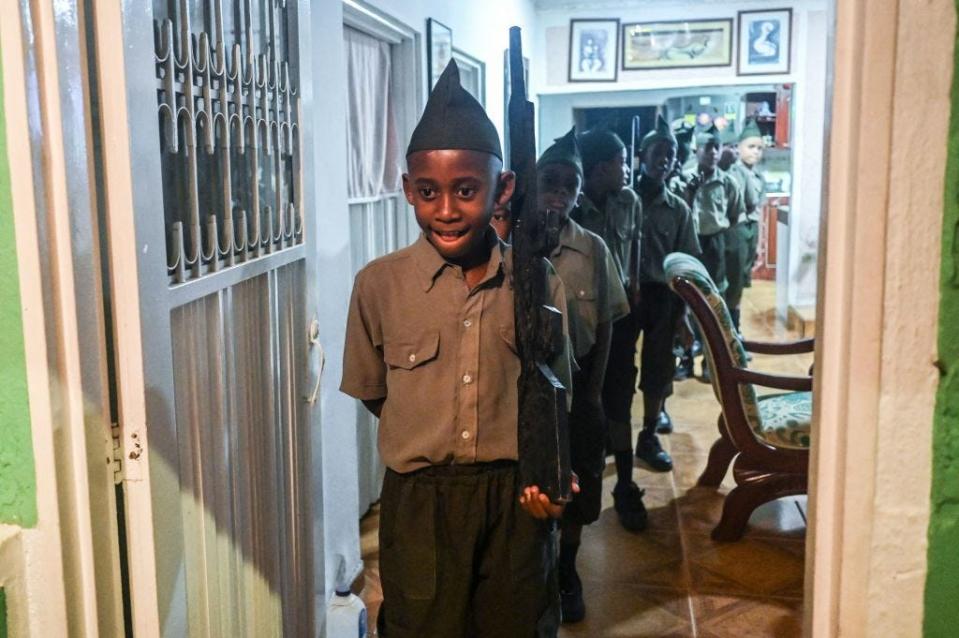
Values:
[(765, 40)]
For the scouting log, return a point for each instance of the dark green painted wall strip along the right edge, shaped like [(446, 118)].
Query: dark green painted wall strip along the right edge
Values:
[(942, 582)]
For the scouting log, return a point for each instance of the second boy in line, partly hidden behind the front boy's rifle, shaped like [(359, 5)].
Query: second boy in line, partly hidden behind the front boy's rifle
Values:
[(595, 298)]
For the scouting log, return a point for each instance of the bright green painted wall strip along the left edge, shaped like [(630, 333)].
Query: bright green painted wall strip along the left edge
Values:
[(18, 500)]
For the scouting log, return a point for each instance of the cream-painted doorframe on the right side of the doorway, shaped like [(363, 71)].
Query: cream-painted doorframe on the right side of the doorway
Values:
[(878, 284)]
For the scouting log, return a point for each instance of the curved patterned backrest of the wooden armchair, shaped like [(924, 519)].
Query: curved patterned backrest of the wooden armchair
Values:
[(721, 343)]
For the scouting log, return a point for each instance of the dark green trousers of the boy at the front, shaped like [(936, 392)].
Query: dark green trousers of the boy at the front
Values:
[(460, 558)]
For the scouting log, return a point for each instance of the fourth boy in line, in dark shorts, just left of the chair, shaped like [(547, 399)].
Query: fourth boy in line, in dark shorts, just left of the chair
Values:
[(667, 227)]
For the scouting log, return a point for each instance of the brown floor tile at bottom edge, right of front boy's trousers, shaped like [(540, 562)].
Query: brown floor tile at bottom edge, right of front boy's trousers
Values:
[(631, 611)]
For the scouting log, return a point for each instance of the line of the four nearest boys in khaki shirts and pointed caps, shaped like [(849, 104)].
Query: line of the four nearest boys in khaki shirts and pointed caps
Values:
[(464, 550)]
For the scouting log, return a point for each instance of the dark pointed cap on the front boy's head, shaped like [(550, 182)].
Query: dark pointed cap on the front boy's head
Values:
[(454, 120)]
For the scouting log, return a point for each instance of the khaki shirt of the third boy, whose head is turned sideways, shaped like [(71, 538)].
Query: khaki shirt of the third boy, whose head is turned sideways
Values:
[(620, 225)]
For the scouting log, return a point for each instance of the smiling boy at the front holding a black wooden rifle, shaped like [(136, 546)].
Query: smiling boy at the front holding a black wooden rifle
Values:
[(430, 350)]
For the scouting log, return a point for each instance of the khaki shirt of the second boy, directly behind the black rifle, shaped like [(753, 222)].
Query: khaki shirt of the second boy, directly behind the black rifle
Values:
[(594, 293)]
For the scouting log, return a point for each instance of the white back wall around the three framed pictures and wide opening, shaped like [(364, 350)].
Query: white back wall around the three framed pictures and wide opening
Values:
[(798, 245)]
